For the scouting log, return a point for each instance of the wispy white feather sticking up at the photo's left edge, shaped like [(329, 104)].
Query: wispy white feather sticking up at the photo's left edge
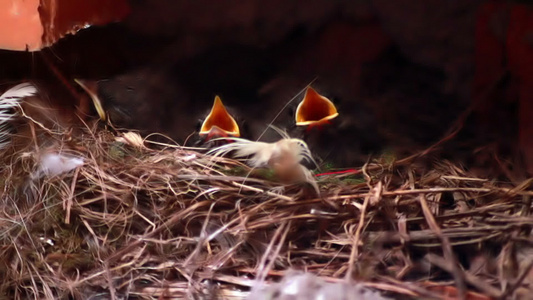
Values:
[(8, 101)]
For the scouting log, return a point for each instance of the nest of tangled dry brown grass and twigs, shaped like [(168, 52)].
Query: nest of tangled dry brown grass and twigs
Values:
[(169, 222)]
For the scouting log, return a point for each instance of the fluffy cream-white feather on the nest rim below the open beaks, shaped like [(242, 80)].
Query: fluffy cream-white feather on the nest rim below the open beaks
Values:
[(284, 157)]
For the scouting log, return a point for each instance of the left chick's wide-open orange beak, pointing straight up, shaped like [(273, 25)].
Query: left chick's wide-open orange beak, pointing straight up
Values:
[(219, 122)]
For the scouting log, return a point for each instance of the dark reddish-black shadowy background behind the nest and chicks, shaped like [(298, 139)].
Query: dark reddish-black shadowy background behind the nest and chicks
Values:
[(402, 73)]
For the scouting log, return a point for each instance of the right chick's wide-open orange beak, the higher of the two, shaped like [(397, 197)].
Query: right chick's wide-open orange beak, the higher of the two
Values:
[(315, 109)]
